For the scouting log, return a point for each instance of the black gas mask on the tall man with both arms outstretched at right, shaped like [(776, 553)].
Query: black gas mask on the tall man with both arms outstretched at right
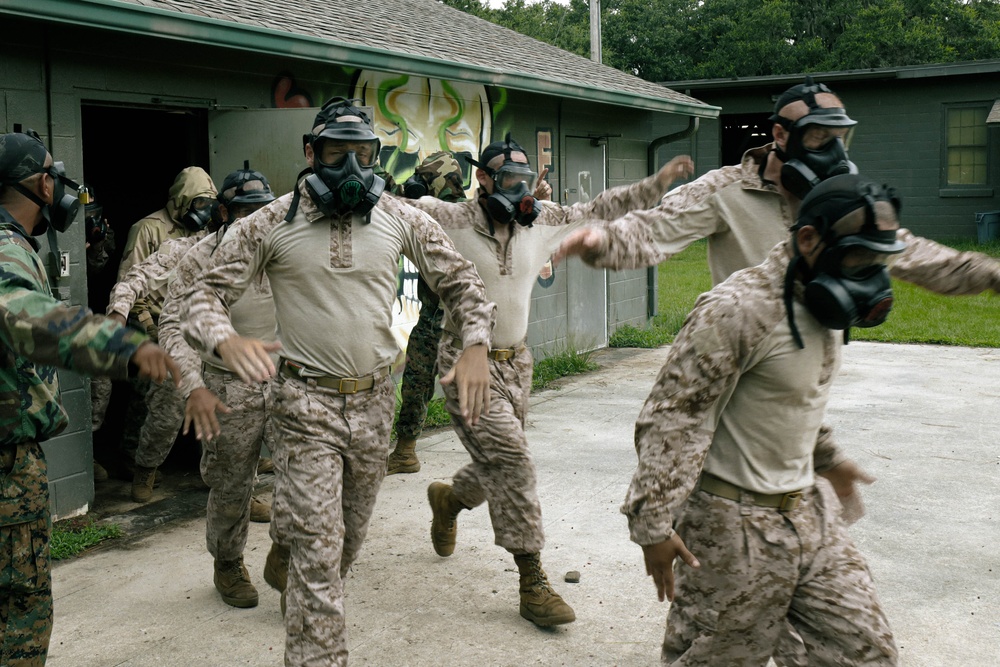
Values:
[(804, 168)]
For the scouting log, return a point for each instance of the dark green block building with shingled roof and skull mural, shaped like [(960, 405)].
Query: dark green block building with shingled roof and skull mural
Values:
[(129, 92)]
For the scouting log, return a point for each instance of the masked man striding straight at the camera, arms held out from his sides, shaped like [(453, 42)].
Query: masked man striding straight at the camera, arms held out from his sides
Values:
[(330, 251)]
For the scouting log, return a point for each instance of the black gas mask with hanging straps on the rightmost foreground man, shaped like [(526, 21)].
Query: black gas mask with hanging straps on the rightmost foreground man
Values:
[(848, 285)]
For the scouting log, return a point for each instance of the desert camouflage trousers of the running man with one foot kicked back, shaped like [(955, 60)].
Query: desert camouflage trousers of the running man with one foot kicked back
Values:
[(502, 472)]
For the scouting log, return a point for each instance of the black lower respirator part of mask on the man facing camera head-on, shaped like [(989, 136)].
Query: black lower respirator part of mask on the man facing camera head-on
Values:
[(344, 187)]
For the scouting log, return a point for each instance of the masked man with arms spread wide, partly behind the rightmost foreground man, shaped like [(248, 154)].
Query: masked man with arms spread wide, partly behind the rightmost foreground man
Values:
[(744, 210)]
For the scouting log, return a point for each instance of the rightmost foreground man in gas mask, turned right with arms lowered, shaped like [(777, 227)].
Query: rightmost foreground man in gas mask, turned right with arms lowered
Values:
[(729, 438)]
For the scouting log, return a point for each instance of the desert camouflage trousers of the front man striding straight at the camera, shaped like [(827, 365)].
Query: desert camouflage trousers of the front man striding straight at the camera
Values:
[(330, 453)]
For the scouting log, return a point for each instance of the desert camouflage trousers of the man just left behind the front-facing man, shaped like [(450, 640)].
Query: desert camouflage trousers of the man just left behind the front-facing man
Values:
[(229, 462)]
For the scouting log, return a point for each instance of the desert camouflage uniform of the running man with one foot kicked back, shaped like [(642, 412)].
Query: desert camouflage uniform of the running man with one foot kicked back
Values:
[(502, 472)]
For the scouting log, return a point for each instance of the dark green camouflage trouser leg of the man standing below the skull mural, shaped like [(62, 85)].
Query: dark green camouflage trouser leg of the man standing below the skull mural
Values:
[(421, 367)]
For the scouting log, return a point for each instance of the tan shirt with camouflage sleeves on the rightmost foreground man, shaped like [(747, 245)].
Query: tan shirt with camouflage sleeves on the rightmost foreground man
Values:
[(735, 392)]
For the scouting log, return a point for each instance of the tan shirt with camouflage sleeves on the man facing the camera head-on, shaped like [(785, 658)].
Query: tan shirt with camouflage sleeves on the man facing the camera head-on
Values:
[(334, 281)]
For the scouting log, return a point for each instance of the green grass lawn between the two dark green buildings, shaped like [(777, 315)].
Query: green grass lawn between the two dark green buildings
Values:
[(918, 316)]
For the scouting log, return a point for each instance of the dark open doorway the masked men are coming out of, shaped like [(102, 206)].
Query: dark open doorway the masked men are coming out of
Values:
[(131, 156)]
